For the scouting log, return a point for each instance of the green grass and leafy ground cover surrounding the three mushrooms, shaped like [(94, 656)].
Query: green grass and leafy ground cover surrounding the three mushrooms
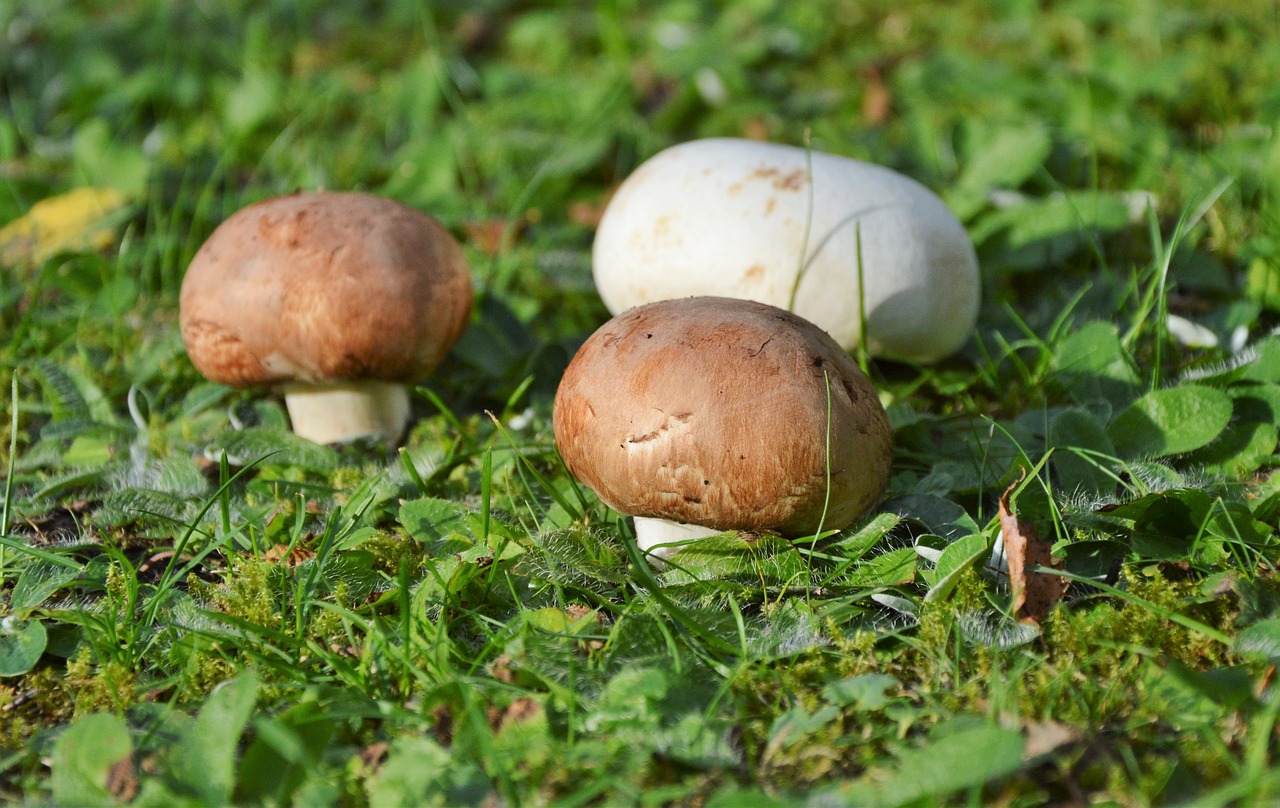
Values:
[(200, 609)]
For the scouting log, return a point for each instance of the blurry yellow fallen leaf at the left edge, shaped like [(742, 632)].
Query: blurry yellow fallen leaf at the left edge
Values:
[(79, 220)]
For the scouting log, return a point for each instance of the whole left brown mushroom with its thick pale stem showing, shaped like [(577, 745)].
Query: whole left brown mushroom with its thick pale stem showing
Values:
[(341, 298)]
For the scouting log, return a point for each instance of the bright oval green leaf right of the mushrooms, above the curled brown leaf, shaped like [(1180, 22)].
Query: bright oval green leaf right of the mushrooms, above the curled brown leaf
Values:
[(1171, 422)]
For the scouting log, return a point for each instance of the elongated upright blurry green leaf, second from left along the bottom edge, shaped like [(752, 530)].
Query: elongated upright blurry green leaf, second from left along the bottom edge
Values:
[(204, 760)]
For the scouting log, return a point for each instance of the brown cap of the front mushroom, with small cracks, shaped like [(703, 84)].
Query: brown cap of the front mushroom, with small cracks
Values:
[(715, 412)]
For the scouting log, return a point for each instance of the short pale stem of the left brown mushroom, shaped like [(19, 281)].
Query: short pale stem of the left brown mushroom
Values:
[(344, 413)]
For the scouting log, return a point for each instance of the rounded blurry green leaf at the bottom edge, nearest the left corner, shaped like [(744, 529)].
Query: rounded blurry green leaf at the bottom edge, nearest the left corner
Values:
[(84, 759)]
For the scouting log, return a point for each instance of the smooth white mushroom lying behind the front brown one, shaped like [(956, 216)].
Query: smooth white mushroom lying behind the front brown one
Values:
[(752, 217)]
